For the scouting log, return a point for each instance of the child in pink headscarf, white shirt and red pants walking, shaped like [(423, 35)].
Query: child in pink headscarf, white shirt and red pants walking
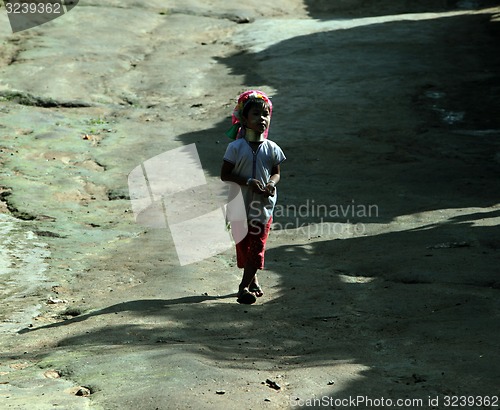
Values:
[(253, 163)]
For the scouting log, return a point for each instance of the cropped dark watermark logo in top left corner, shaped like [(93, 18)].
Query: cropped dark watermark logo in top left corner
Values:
[(26, 14)]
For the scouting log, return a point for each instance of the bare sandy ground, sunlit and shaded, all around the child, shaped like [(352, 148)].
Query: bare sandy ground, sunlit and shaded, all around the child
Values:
[(381, 280)]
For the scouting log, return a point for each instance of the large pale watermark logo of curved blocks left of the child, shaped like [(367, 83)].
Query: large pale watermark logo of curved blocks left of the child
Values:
[(170, 190)]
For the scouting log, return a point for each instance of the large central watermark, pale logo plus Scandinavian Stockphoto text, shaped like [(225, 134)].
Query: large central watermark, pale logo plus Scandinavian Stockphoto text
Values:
[(170, 191)]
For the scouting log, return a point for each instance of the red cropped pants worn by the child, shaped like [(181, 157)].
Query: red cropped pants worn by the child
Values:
[(253, 246)]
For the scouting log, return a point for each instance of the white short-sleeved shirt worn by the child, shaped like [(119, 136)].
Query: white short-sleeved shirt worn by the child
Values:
[(256, 165)]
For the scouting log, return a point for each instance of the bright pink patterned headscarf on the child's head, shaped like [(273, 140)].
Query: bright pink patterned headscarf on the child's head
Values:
[(248, 104)]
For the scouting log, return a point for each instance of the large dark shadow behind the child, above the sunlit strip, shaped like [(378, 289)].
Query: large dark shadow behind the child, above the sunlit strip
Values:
[(363, 115)]
